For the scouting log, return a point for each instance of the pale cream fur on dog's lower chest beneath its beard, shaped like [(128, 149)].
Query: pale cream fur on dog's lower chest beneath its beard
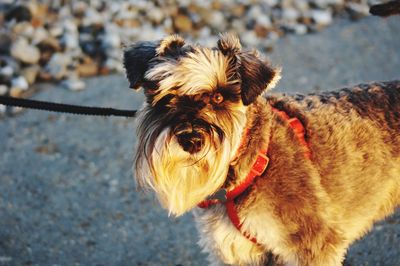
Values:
[(218, 235)]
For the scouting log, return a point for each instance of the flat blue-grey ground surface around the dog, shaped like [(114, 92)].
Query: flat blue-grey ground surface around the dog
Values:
[(66, 192)]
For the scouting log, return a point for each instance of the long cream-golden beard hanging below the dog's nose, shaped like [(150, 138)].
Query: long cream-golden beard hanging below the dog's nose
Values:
[(180, 179)]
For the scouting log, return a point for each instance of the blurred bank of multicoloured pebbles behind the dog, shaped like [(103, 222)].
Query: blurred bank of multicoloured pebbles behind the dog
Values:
[(64, 40)]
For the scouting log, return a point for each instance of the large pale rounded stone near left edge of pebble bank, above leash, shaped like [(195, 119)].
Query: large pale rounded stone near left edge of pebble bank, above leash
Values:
[(25, 52)]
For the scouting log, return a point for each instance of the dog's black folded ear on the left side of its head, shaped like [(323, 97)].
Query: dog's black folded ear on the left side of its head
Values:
[(136, 61)]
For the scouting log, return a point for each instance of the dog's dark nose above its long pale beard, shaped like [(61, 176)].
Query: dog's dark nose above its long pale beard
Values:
[(190, 137)]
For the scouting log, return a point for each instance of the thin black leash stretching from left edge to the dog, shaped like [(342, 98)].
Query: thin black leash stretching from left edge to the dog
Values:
[(65, 108)]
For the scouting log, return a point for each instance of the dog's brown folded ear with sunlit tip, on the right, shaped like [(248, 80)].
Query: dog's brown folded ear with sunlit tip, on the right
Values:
[(256, 77)]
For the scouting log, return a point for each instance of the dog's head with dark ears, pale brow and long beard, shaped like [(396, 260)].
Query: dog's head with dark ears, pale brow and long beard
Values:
[(195, 113)]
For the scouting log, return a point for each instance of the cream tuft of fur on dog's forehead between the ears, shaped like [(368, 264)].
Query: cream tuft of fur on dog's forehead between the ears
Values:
[(198, 71)]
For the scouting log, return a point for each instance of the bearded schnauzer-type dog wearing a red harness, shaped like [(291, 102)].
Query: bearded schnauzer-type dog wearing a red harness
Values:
[(271, 179)]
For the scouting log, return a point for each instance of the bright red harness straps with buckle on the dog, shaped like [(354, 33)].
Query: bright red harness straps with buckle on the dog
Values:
[(259, 166)]
